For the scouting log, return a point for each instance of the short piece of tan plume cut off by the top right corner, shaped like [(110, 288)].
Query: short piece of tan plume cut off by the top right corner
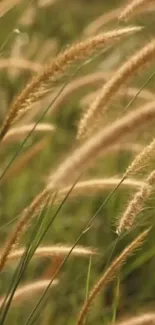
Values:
[(132, 7)]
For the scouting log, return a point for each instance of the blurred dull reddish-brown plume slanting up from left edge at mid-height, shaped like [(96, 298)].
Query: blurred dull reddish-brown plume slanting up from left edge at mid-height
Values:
[(24, 159)]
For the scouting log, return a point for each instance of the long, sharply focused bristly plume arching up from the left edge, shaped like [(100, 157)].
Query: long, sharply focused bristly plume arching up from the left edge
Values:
[(39, 84)]
